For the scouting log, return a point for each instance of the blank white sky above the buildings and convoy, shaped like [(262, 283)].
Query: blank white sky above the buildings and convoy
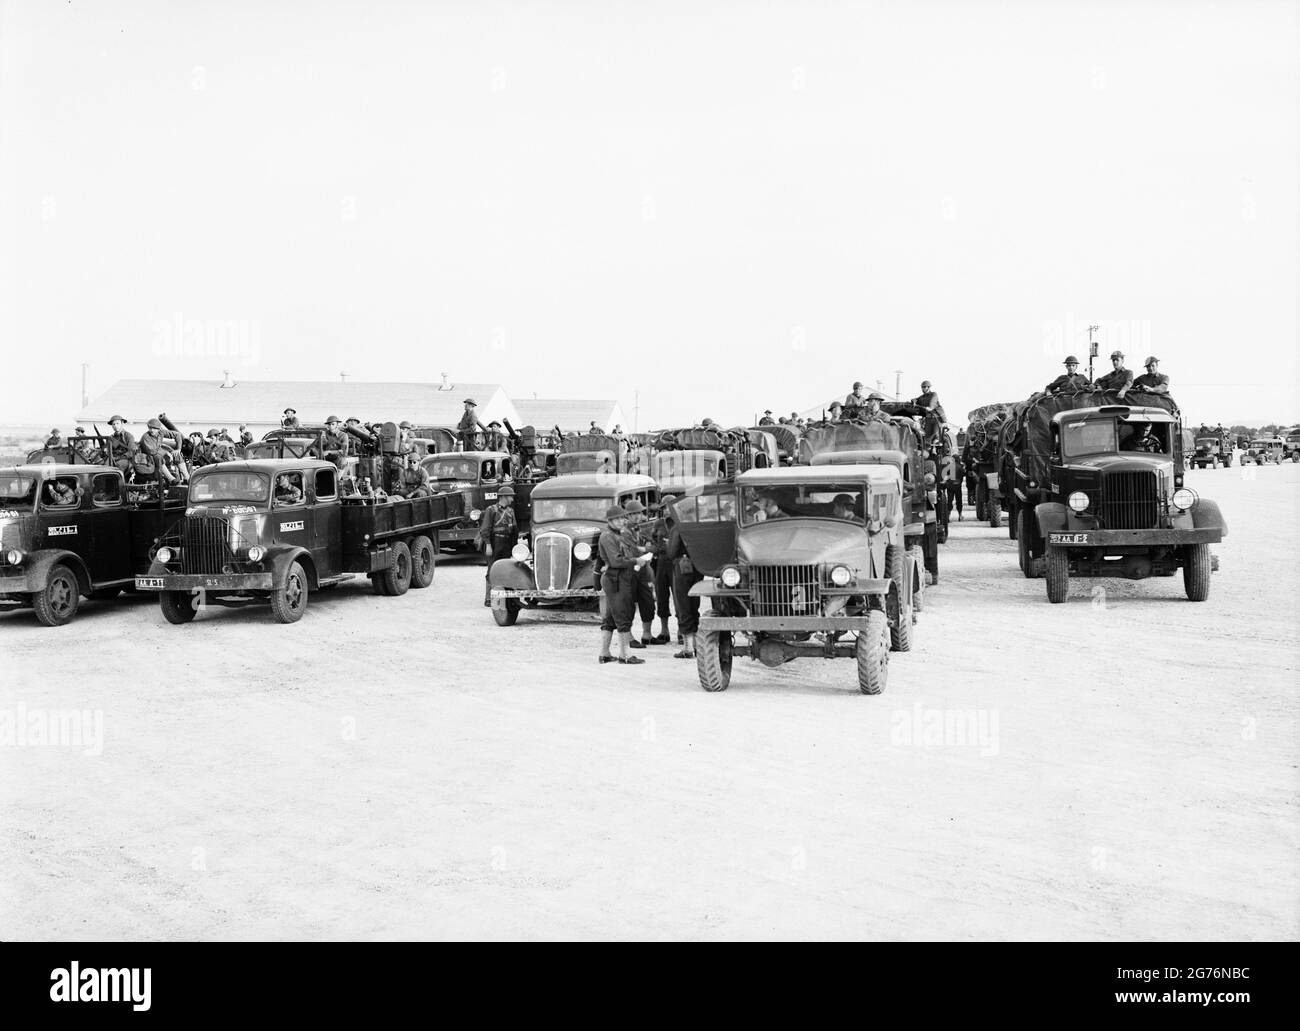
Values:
[(721, 206)]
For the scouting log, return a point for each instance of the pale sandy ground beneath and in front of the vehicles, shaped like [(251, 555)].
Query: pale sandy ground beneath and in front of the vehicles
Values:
[(402, 768)]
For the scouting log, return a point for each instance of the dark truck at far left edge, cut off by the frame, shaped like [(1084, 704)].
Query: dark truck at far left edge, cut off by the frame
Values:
[(93, 545)]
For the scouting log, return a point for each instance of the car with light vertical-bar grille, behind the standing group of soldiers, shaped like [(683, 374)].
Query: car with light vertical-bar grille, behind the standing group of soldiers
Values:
[(553, 561)]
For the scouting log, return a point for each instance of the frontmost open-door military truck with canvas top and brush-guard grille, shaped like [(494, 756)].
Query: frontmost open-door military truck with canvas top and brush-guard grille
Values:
[(821, 569)]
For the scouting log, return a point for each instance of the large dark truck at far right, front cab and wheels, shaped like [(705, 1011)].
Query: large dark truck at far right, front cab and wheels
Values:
[(1102, 493)]
